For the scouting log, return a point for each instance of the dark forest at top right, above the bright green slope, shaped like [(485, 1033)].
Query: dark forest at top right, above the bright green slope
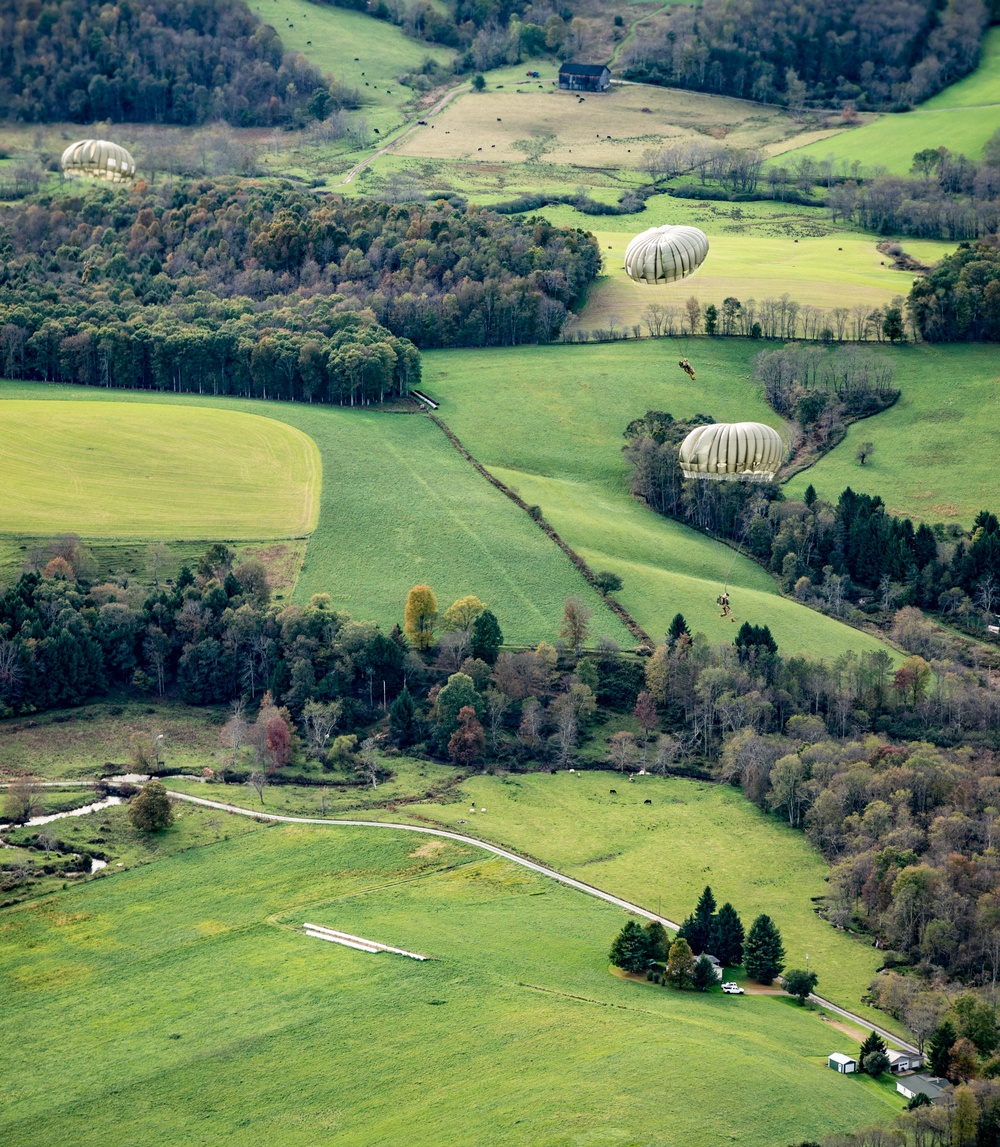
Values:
[(888, 56)]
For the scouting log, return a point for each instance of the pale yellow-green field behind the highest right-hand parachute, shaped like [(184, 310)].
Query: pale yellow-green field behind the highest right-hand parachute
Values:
[(842, 269)]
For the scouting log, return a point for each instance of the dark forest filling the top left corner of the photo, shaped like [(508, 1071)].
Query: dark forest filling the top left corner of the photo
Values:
[(158, 61)]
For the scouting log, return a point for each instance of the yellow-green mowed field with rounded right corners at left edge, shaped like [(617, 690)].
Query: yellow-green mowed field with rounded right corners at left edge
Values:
[(127, 471)]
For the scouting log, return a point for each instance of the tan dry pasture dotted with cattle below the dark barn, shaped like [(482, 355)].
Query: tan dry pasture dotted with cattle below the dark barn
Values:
[(607, 130)]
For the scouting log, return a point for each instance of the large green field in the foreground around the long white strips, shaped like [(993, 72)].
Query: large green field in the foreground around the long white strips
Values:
[(179, 1003)]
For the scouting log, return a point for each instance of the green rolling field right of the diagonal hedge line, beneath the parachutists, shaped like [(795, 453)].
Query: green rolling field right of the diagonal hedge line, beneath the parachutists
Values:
[(549, 422)]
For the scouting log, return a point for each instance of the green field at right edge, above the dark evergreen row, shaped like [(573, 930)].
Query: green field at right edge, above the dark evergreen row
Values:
[(934, 449)]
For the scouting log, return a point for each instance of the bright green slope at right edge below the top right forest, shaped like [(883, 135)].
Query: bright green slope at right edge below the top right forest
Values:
[(960, 119)]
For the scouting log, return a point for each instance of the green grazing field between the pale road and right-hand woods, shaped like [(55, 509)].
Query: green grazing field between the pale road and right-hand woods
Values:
[(660, 856)]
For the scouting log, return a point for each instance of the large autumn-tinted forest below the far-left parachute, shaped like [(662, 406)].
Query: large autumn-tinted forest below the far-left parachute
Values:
[(244, 288)]
